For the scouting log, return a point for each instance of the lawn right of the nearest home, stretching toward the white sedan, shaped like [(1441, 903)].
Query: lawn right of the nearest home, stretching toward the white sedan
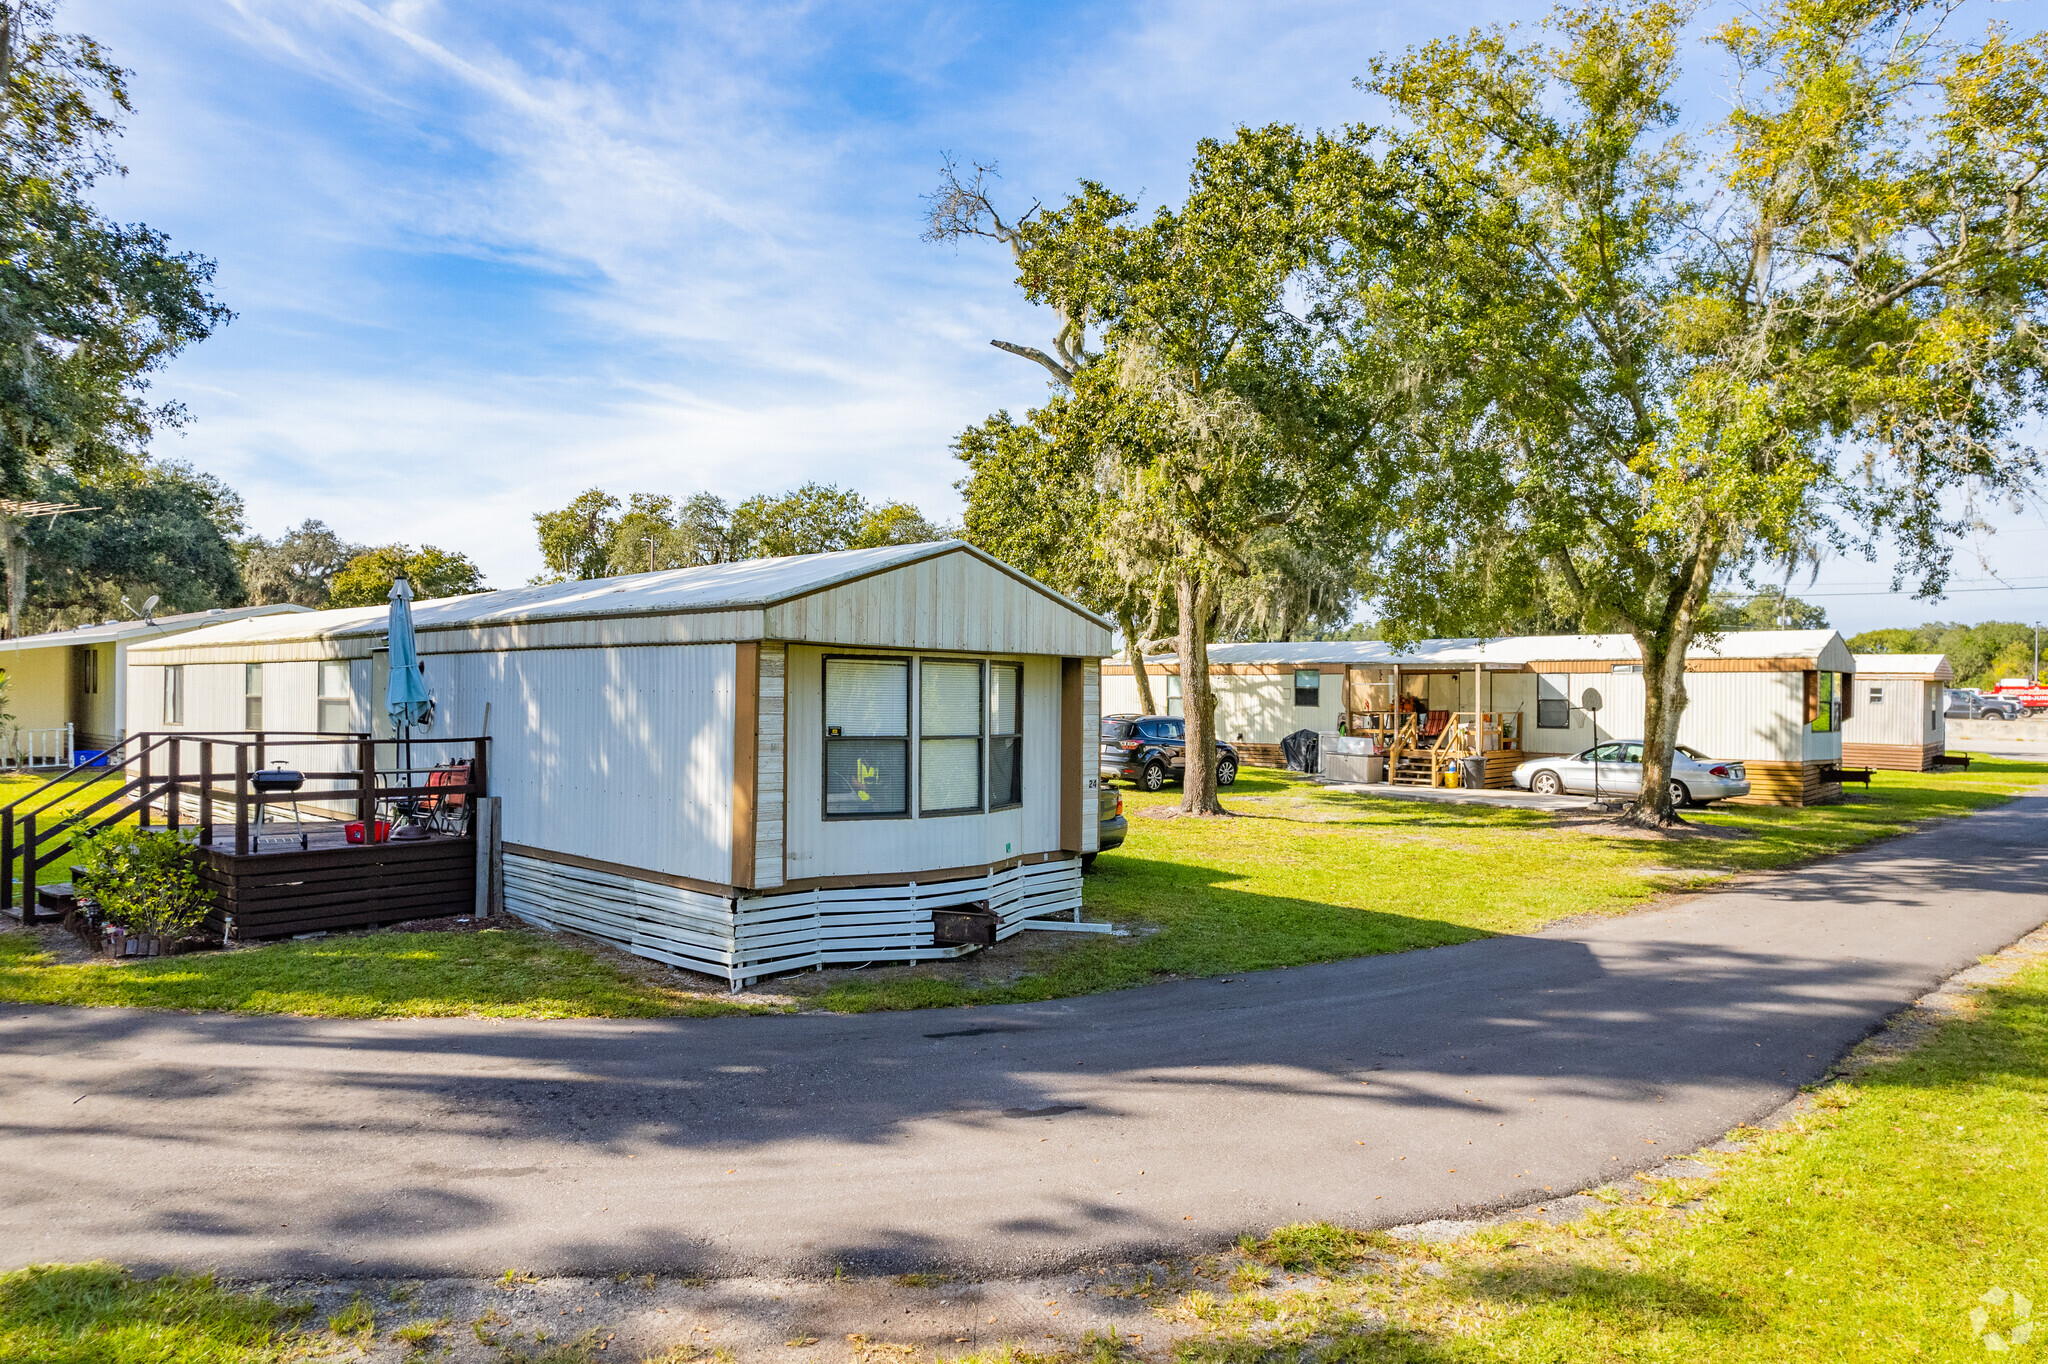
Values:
[(1316, 876)]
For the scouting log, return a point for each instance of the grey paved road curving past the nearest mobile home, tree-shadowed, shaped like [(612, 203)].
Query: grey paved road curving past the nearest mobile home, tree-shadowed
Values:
[(1000, 1140)]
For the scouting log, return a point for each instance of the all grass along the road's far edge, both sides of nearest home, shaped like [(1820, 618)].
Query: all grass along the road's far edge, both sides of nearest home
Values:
[(1304, 876)]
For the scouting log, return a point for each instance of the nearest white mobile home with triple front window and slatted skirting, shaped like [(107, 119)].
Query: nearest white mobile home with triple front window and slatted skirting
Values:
[(738, 769)]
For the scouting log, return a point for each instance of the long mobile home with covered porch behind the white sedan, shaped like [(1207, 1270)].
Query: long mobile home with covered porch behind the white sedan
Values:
[(1773, 699)]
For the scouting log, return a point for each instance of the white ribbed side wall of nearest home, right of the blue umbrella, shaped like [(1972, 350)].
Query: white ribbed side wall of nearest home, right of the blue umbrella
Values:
[(613, 755)]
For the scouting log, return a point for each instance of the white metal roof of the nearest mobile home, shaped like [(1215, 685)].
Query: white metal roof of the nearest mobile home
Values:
[(718, 587)]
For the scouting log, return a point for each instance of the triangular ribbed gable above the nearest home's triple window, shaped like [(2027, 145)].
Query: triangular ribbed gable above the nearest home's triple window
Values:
[(949, 603)]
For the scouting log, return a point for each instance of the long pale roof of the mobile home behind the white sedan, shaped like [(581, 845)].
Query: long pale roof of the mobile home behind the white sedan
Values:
[(1523, 650)]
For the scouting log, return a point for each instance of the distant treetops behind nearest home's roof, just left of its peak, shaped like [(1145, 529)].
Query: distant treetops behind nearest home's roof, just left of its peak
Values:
[(601, 538)]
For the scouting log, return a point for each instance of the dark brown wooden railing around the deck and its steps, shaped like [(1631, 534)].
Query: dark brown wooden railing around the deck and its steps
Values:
[(155, 777)]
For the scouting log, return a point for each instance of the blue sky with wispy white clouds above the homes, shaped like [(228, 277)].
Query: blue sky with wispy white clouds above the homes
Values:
[(490, 255)]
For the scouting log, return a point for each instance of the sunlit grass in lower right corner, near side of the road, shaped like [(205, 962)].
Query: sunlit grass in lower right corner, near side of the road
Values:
[(1873, 1230)]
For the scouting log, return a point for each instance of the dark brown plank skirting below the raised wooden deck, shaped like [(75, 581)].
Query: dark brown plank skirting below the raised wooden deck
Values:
[(280, 890)]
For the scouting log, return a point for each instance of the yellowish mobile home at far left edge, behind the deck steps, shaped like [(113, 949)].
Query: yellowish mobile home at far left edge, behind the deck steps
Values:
[(71, 685)]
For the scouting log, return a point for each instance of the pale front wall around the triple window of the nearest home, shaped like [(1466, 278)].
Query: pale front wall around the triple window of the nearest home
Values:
[(816, 847)]
